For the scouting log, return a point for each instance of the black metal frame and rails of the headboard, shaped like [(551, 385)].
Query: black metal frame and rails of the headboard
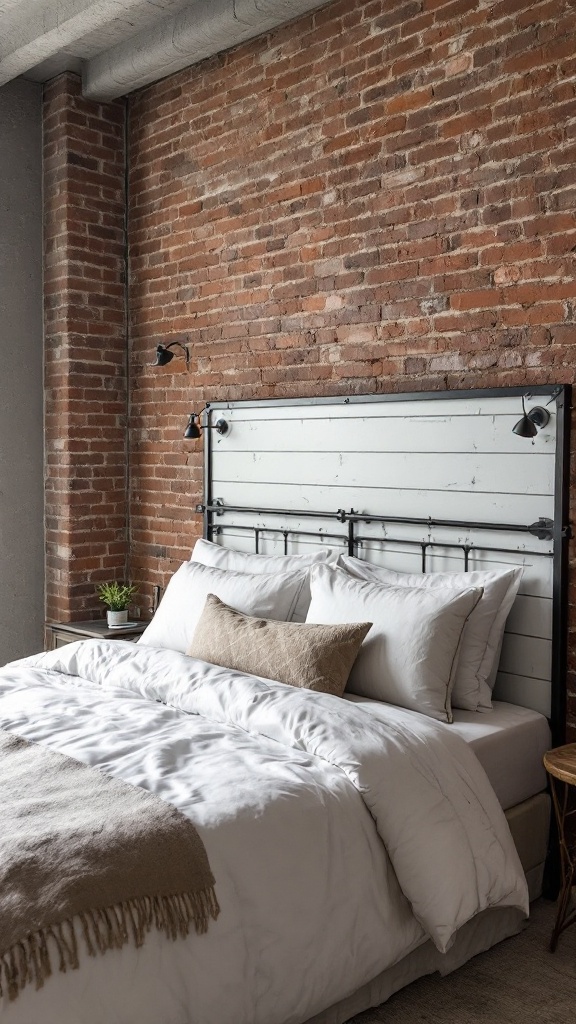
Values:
[(558, 530)]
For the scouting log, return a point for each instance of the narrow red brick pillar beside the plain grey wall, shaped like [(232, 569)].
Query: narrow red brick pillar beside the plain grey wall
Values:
[(86, 347)]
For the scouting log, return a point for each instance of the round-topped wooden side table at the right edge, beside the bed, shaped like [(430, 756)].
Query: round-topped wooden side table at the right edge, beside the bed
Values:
[(561, 766)]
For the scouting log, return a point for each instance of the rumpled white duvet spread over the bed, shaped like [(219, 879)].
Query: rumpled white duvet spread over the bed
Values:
[(340, 843)]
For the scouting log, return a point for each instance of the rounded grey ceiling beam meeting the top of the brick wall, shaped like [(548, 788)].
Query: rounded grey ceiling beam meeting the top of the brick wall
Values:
[(205, 28)]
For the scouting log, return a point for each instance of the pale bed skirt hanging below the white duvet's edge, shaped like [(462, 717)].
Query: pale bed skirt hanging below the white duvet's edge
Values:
[(529, 825)]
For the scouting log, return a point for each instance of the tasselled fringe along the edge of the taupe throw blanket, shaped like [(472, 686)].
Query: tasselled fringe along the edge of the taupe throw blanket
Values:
[(33, 959)]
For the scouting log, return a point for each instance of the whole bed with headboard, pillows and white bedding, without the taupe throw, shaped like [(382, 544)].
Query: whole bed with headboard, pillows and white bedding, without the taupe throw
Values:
[(358, 842)]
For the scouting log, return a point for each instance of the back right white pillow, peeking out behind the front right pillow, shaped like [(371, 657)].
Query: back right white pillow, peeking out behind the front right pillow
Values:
[(478, 663)]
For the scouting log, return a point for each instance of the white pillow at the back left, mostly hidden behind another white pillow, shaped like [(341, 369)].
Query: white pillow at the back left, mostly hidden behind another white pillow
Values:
[(243, 562)]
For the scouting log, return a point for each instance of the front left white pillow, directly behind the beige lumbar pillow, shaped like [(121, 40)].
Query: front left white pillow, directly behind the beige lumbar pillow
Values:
[(177, 617)]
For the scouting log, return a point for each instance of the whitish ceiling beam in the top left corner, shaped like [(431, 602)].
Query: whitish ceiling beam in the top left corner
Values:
[(37, 32)]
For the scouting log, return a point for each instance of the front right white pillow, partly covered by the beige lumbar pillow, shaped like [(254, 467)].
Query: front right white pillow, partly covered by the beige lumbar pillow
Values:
[(409, 657)]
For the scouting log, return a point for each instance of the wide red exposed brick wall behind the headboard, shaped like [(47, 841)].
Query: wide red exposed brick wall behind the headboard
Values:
[(379, 197)]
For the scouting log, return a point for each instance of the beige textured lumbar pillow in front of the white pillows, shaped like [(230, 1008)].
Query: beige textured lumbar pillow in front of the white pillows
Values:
[(318, 658)]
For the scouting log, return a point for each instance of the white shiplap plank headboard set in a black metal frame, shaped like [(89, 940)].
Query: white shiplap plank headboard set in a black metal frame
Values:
[(447, 475)]
